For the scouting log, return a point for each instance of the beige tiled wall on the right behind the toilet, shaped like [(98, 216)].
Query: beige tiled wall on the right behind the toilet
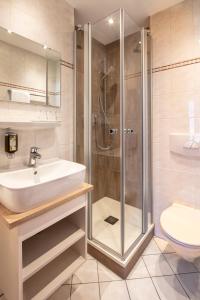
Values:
[(176, 38)]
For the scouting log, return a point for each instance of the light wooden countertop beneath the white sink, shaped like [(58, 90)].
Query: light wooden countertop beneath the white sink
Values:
[(13, 219)]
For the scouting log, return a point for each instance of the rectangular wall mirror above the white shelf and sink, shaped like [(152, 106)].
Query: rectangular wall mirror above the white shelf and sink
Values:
[(29, 72)]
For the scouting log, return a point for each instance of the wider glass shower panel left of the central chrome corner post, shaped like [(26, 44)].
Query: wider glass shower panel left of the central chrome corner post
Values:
[(105, 132)]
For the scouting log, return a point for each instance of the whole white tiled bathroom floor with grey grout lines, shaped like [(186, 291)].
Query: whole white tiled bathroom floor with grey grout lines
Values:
[(159, 275)]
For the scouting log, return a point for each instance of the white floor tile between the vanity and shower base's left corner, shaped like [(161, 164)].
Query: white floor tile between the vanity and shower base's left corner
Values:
[(86, 273)]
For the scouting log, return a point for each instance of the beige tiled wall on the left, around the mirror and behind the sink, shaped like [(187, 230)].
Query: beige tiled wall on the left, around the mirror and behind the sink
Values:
[(47, 22)]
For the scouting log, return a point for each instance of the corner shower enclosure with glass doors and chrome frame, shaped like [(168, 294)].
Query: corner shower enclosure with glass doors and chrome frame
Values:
[(113, 130)]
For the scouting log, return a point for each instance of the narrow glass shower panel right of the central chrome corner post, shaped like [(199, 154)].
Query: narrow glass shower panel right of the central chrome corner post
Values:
[(133, 135)]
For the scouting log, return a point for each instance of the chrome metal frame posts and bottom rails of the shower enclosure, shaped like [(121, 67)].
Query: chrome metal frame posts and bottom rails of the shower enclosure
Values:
[(146, 103)]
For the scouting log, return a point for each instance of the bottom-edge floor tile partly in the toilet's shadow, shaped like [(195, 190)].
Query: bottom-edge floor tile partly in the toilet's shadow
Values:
[(169, 287)]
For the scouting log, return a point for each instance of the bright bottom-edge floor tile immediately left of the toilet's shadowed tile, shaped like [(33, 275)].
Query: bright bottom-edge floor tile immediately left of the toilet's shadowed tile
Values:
[(142, 289)]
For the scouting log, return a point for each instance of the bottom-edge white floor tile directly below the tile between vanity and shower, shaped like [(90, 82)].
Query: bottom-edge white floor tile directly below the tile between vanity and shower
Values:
[(88, 291)]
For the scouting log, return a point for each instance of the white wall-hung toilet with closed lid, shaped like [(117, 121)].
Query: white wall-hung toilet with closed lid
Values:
[(181, 227)]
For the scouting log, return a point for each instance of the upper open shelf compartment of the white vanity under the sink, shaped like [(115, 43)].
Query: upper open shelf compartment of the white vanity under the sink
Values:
[(47, 245)]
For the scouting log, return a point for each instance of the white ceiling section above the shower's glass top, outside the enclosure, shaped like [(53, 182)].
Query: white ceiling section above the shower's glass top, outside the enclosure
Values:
[(139, 10)]
